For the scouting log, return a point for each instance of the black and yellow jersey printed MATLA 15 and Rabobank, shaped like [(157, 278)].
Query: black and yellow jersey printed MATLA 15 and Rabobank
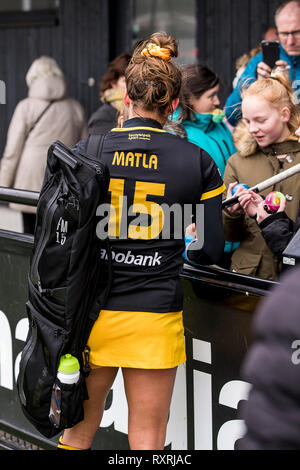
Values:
[(156, 182)]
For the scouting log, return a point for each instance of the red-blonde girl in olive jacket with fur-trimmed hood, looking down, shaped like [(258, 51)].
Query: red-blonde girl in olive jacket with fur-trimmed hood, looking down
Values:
[(267, 144)]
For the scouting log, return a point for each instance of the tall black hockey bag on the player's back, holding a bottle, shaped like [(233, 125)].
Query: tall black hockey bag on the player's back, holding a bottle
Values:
[(68, 283)]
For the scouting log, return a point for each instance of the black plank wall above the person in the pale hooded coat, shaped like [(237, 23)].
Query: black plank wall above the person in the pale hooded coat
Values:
[(80, 44)]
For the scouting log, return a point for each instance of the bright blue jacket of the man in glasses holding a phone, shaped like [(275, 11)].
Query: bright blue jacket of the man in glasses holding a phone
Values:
[(233, 103)]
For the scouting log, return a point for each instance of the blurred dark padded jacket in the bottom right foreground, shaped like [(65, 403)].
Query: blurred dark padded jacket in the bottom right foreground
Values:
[(272, 366)]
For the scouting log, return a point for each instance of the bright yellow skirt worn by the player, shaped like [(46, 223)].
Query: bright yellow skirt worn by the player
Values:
[(140, 340)]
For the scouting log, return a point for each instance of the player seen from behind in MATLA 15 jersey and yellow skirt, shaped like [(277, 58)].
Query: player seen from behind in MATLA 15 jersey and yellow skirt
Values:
[(140, 328)]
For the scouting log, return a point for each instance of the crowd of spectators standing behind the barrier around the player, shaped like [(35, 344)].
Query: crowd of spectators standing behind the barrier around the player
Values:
[(245, 150)]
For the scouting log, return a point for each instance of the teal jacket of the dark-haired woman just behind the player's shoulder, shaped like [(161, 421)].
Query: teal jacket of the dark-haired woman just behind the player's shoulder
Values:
[(214, 138)]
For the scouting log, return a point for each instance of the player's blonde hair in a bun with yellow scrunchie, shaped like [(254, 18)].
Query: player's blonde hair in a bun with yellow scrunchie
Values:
[(153, 80)]
